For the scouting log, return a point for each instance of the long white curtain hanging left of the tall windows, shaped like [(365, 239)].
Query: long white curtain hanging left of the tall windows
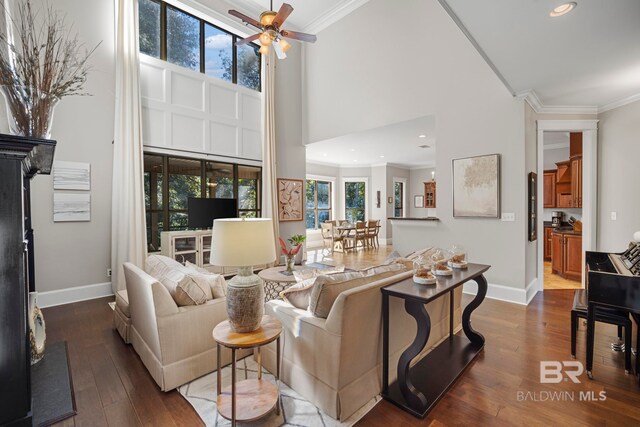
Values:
[(128, 224)]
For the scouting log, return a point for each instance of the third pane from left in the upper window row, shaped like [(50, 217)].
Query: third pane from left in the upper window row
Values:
[(218, 53)]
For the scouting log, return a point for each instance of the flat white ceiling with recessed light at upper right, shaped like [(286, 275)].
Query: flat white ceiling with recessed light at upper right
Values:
[(588, 57)]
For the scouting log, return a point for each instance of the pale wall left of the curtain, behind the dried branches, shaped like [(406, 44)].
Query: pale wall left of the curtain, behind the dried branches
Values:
[(79, 253)]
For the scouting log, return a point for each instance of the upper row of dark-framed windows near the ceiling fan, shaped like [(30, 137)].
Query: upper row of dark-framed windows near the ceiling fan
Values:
[(173, 35)]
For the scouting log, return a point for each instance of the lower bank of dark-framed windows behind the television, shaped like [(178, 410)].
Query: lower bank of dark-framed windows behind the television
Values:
[(170, 181)]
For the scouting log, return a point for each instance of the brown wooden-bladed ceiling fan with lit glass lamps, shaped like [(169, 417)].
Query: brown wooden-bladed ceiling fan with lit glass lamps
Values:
[(272, 33)]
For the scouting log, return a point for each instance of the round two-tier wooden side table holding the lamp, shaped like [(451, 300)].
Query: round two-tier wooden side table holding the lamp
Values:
[(250, 399)]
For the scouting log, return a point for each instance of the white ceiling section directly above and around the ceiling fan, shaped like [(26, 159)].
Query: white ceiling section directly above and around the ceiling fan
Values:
[(308, 15)]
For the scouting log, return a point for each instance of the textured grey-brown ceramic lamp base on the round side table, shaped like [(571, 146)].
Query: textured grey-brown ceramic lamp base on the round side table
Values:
[(245, 301)]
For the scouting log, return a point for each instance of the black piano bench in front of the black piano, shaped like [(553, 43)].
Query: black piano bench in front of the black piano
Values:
[(611, 316)]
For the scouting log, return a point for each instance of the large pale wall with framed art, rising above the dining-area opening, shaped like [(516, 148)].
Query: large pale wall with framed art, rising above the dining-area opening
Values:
[(427, 68)]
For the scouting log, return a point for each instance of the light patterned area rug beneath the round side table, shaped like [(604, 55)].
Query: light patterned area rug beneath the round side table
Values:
[(296, 410)]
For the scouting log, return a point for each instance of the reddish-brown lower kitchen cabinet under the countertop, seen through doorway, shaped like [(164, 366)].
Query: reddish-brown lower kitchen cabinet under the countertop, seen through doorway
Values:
[(566, 255)]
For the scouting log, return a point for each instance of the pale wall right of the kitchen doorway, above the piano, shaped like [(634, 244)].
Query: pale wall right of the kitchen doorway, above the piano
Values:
[(618, 189)]
